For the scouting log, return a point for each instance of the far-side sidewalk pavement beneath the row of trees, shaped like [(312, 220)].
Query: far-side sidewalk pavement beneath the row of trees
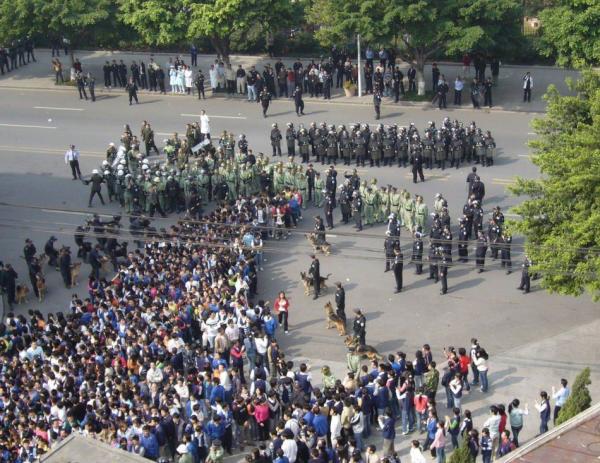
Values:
[(507, 94)]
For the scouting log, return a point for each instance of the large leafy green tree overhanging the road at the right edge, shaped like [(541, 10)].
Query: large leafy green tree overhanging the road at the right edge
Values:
[(561, 212)]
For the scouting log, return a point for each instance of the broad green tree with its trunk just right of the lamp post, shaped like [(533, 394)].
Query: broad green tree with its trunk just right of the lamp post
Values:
[(421, 29)]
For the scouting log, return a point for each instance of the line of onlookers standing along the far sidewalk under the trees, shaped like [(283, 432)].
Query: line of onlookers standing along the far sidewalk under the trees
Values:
[(380, 76)]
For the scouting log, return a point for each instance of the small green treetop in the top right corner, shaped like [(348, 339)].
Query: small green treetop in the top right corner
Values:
[(570, 32)]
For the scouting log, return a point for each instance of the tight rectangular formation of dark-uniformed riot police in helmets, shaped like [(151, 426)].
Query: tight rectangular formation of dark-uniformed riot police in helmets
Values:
[(452, 144)]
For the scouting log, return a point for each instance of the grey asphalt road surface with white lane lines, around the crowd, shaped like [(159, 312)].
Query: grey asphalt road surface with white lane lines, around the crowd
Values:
[(533, 339)]
